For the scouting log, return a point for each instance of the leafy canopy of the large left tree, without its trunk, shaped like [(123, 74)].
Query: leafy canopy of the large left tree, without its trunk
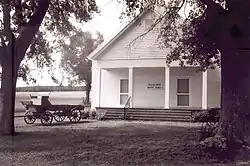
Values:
[(22, 14)]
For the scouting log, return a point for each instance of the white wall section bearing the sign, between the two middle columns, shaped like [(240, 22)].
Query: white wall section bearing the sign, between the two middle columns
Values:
[(143, 97)]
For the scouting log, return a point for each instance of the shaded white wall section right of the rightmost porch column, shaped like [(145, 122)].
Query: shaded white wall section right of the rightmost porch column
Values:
[(214, 87)]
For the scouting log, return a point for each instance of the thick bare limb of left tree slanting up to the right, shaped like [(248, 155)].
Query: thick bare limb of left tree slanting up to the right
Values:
[(28, 31)]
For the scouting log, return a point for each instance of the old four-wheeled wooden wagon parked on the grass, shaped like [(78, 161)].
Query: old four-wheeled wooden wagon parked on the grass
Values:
[(46, 112)]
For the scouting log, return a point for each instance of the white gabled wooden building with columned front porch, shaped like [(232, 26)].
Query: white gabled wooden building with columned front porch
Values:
[(140, 74)]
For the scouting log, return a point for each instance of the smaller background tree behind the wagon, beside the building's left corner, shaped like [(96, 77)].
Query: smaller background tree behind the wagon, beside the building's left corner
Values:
[(74, 58)]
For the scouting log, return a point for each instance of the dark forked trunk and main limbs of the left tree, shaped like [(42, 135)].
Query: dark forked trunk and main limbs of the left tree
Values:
[(11, 58)]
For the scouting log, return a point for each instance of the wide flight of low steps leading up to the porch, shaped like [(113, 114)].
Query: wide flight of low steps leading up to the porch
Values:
[(147, 114)]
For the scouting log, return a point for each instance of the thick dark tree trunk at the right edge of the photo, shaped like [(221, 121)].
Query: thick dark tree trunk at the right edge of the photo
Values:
[(235, 84)]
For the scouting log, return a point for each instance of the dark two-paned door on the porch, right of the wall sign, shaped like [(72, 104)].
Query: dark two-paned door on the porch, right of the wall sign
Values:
[(182, 92)]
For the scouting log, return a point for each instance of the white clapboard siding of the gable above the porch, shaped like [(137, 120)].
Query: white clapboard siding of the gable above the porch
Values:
[(145, 47)]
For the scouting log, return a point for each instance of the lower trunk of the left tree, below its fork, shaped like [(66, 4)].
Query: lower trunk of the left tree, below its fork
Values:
[(8, 91)]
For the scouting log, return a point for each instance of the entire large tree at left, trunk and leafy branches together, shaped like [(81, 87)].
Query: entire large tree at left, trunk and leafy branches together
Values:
[(22, 28)]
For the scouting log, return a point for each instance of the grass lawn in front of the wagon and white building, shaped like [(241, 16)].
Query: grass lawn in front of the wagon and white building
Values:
[(103, 143)]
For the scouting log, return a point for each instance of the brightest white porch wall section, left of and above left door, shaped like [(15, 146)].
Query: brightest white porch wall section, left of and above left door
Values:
[(110, 87)]
